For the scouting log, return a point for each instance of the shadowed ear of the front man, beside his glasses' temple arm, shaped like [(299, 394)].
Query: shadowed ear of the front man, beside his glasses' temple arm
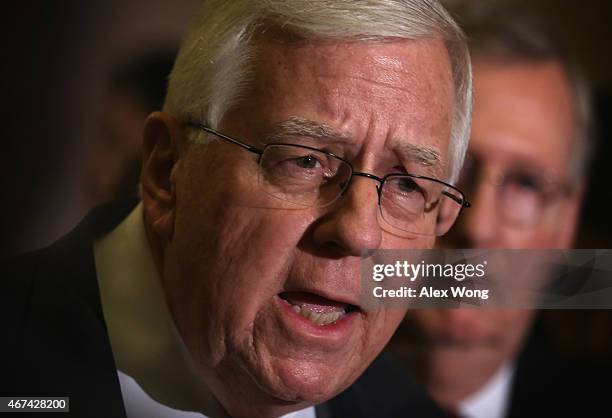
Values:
[(161, 139)]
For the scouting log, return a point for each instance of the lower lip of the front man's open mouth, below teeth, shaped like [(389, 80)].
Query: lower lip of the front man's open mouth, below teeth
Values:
[(334, 333)]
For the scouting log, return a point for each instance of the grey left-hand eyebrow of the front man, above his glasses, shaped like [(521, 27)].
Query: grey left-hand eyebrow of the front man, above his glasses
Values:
[(296, 126)]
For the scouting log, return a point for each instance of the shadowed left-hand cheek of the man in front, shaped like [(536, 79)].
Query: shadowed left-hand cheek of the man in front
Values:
[(235, 259)]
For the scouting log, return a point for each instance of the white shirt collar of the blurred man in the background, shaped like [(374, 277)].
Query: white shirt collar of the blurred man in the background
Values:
[(490, 401)]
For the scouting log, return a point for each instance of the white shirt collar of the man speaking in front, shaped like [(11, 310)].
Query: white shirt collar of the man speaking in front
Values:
[(156, 373)]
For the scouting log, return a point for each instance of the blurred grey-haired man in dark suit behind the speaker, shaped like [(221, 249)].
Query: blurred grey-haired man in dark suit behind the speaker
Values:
[(525, 172)]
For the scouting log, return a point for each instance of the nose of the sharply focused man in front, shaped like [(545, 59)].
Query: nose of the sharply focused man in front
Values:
[(351, 224)]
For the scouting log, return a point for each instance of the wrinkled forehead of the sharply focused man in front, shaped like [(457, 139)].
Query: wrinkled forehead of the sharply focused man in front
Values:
[(402, 86)]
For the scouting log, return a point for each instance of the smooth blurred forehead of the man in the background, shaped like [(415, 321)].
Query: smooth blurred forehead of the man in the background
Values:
[(523, 113)]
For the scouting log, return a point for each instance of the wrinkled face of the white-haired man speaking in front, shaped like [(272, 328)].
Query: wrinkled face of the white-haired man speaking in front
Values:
[(238, 261)]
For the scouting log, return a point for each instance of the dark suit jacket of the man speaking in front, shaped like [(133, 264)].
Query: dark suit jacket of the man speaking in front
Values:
[(55, 342)]
